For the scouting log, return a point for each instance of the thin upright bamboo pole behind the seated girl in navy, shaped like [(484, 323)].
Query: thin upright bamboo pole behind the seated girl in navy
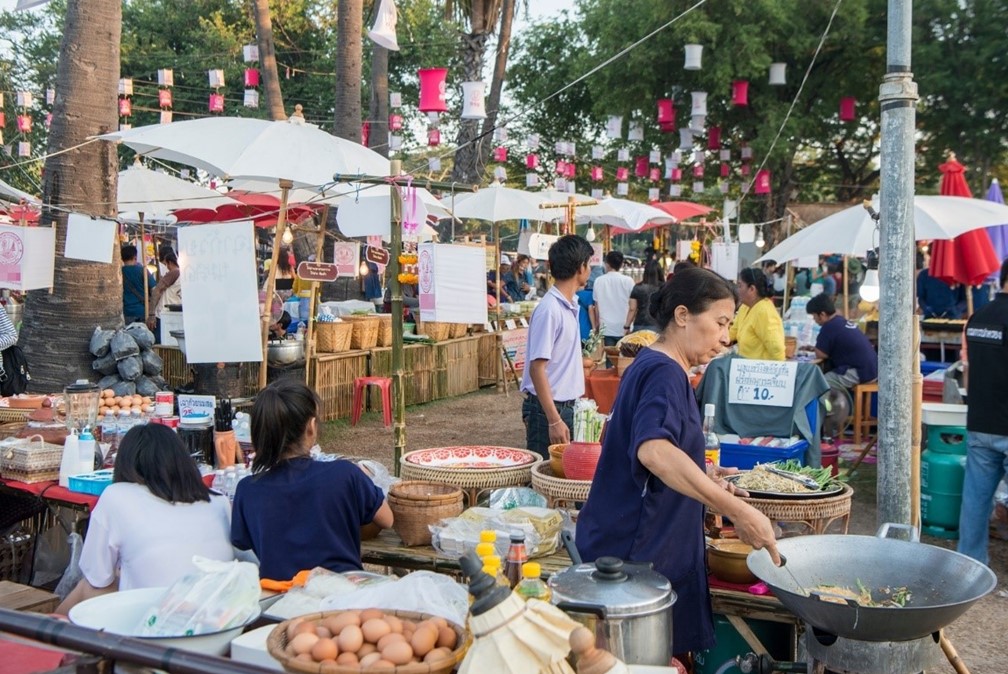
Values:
[(399, 394)]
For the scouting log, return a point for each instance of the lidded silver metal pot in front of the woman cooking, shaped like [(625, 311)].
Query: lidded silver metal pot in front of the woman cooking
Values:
[(627, 606)]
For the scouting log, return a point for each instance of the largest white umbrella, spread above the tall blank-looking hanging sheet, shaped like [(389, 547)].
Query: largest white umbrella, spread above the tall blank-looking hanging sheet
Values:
[(238, 148)]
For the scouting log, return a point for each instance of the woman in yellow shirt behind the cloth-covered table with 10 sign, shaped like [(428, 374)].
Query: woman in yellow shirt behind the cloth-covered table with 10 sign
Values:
[(758, 330)]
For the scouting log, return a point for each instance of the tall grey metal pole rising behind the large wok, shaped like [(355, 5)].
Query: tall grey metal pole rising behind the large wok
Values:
[(898, 96)]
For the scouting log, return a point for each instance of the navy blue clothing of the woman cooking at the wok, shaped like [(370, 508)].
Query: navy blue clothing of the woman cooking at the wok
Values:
[(632, 514)]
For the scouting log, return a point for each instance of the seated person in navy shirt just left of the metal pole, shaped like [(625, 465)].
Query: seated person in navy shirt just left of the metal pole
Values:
[(852, 356)]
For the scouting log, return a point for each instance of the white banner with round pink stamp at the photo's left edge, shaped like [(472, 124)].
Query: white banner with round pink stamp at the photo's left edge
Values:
[(28, 257)]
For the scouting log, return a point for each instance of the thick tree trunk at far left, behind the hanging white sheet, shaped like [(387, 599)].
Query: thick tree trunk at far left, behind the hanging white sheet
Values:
[(58, 326)]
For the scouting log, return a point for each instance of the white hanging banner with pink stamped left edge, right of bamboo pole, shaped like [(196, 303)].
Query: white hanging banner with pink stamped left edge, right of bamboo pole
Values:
[(452, 284)]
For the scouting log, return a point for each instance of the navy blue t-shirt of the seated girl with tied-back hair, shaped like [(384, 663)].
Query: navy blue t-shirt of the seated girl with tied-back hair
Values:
[(304, 514)]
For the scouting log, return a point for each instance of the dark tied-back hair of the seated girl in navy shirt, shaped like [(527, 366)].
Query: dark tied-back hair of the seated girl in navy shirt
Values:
[(280, 418)]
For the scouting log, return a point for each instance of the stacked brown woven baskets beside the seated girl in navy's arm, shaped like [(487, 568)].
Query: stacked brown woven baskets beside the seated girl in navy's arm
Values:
[(417, 505)]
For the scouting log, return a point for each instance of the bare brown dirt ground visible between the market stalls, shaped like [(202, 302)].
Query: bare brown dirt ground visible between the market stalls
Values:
[(488, 418)]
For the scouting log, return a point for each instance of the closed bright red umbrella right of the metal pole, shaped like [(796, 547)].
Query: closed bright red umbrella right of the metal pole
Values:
[(969, 258)]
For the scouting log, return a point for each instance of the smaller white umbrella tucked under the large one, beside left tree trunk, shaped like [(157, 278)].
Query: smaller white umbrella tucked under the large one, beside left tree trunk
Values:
[(156, 194)]
